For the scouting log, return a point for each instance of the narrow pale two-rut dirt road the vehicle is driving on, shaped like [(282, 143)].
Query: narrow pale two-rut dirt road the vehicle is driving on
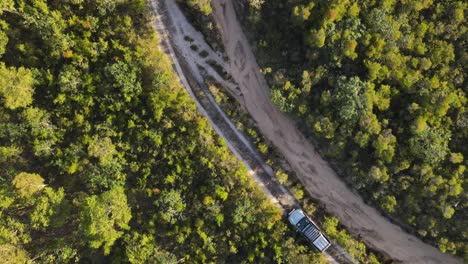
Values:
[(173, 34)]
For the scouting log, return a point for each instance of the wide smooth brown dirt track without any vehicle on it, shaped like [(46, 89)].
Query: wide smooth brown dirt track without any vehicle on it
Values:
[(317, 176)]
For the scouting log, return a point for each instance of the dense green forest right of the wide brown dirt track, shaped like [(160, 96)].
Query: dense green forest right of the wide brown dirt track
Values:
[(382, 86)]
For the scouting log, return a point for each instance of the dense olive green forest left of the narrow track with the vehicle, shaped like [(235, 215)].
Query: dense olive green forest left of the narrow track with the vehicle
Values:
[(103, 157)]
